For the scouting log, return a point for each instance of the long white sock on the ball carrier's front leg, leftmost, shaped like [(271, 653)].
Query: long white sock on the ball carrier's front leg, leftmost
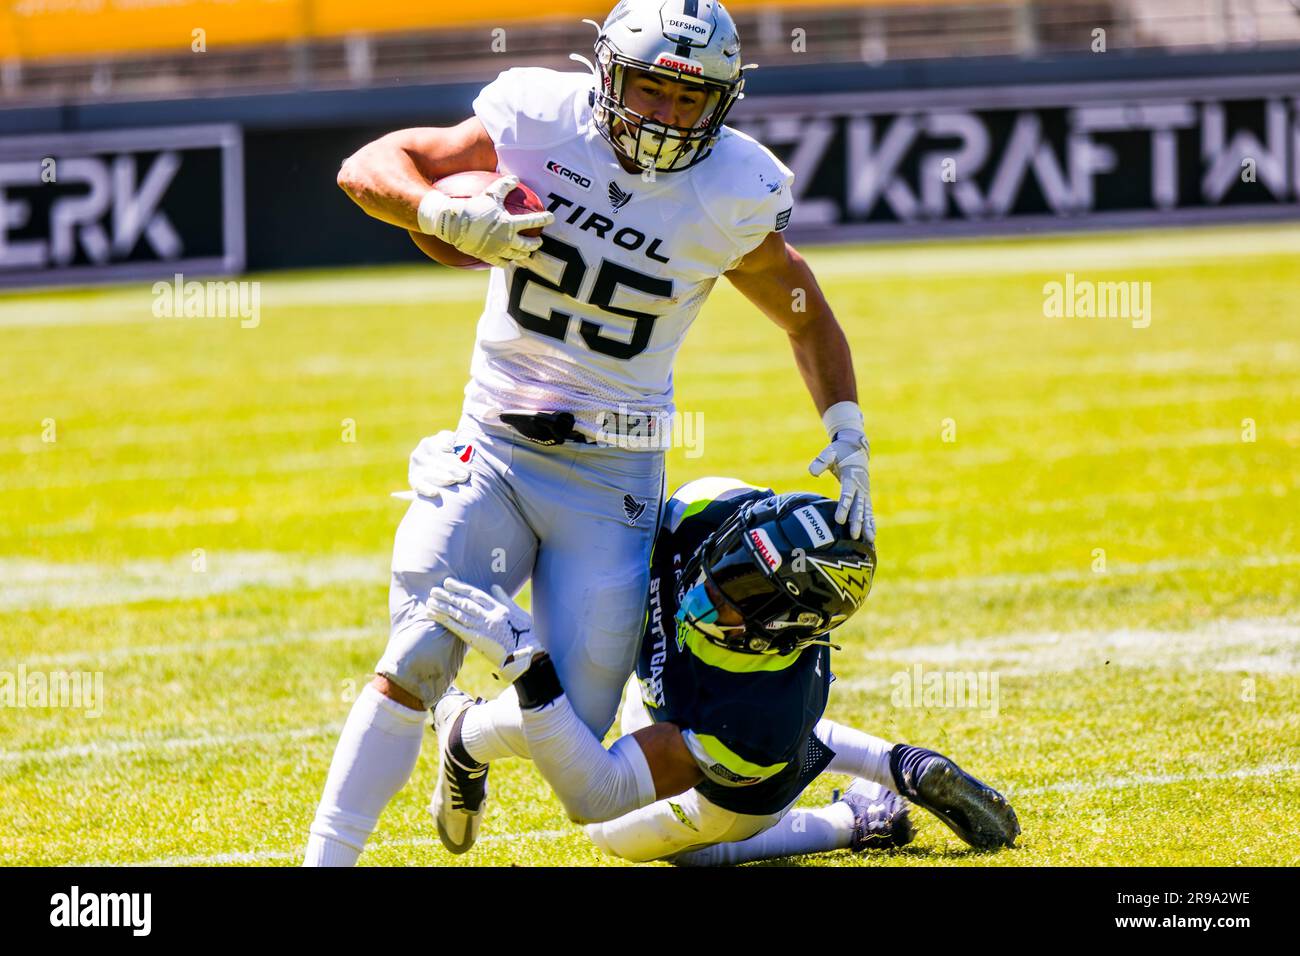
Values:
[(374, 760)]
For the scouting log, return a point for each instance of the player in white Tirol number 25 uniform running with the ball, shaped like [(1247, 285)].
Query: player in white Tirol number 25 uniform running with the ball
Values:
[(556, 471)]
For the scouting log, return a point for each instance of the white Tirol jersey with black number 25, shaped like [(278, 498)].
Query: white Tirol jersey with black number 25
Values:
[(593, 323)]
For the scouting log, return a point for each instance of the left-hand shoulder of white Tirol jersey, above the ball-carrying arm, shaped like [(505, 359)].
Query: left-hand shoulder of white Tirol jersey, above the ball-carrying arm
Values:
[(528, 106)]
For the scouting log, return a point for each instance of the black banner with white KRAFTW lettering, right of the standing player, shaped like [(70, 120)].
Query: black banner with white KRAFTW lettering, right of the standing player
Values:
[(1058, 157)]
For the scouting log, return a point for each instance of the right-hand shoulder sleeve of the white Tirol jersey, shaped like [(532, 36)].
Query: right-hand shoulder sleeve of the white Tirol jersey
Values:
[(748, 189)]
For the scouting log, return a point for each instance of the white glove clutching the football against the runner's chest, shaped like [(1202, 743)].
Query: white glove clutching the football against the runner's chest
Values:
[(480, 226)]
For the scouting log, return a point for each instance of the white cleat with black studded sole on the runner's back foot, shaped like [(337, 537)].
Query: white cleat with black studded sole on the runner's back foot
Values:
[(461, 795)]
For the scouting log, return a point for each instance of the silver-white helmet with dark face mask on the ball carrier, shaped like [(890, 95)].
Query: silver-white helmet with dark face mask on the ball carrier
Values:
[(690, 41)]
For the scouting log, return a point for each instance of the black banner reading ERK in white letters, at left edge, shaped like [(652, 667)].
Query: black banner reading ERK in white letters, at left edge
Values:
[(142, 204)]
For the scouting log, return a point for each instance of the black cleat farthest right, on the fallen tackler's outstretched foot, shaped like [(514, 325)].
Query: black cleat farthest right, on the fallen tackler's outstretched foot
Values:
[(970, 808)]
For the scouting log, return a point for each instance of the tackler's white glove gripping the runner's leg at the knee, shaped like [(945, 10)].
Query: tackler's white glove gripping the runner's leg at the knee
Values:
[(496, 628)]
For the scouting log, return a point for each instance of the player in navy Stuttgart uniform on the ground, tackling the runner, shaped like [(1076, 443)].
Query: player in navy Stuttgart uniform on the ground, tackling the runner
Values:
[(723, 725)]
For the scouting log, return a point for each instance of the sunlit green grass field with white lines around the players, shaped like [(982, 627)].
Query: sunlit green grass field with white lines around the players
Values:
[(1072, 507)]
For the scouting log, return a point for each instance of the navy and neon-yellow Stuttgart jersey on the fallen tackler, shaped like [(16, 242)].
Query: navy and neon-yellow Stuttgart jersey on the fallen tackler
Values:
[(748, 720)]
